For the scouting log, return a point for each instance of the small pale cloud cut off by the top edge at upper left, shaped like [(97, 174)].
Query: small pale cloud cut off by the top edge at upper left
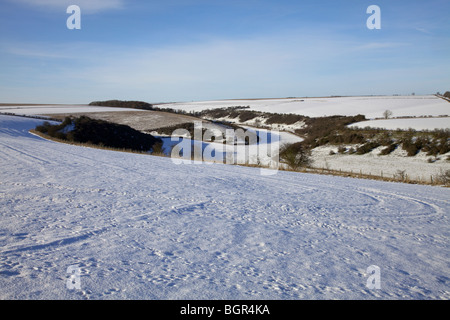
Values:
[(87, 6)]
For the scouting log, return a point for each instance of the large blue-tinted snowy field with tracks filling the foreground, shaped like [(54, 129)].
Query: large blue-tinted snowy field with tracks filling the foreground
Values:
[(141, 227)]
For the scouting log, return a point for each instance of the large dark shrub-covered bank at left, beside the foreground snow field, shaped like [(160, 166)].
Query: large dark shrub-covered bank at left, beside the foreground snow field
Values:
[(100, 132)]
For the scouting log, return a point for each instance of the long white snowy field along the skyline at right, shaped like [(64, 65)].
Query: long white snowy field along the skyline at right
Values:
[(370, 106)]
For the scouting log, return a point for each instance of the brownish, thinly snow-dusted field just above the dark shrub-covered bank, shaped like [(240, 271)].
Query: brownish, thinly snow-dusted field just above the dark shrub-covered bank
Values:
[(141, 120)]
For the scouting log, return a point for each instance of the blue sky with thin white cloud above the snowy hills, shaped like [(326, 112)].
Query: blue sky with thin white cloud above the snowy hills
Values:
[(190, 50)]
